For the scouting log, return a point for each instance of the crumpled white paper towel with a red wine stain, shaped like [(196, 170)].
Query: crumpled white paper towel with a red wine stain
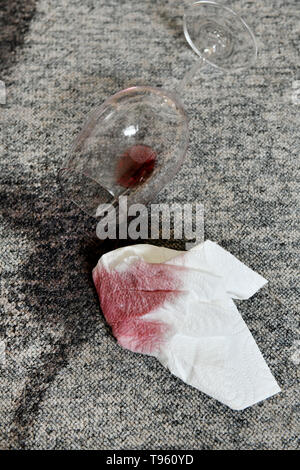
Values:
[(178, 307)]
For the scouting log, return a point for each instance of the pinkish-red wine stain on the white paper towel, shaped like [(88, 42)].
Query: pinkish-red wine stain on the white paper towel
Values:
[(127, 295)]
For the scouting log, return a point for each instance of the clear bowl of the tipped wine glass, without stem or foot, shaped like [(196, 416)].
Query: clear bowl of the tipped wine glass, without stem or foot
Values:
[(133, 145)]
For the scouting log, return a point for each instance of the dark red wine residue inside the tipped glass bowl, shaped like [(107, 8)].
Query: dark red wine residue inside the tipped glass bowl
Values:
[(135, 166)]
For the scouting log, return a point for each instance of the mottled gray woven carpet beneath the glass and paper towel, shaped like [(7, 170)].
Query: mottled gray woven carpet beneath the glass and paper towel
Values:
[(64, 382)]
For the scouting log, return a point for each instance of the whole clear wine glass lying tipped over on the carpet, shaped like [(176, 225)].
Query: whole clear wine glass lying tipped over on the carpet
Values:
[(135, 142)]
